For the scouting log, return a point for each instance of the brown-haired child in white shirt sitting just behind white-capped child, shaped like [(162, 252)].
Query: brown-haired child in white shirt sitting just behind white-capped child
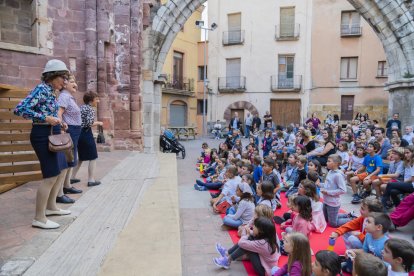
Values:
[(229, 188)]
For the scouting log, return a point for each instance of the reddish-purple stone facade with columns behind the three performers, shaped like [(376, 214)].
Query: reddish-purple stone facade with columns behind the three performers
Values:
[(99, 40)]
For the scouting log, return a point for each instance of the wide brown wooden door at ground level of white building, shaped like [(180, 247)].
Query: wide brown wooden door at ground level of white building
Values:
[(285, 112)]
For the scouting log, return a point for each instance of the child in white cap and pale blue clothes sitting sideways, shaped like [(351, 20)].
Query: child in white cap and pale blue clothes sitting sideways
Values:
[(243, 211)]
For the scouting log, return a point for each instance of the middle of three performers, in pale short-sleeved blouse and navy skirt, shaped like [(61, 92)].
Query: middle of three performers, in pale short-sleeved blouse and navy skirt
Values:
[(69, 113)]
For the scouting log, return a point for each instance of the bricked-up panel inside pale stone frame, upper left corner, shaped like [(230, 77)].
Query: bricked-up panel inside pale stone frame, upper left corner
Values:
[(16, 21)]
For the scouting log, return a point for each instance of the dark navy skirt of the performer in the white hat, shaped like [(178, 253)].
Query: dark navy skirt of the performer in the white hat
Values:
[(51, 163)]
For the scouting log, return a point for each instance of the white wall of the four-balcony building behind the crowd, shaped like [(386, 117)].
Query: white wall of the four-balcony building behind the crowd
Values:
[(259, 53)]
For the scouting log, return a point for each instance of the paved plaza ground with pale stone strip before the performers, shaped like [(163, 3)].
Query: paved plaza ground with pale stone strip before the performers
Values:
[(145, 217)]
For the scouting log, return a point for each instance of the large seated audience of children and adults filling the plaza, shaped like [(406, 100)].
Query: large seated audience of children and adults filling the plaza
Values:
[(312, 165)]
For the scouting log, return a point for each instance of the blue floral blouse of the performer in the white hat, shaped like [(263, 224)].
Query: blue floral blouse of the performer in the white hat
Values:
[(41, 102)]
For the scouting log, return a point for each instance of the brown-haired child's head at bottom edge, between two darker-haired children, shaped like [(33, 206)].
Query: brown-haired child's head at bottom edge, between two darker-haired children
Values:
[(368, 265)]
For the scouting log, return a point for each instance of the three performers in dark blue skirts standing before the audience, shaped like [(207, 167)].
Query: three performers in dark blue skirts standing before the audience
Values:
[(52, 107)]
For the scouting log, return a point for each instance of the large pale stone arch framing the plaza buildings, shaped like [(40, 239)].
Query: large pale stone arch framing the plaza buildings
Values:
[(390, 19)]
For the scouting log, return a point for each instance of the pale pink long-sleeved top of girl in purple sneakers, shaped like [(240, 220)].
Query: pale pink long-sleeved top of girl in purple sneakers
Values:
[(262, 248)]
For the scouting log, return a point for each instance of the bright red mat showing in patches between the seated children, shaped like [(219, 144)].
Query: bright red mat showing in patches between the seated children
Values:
[(317, 241)]
